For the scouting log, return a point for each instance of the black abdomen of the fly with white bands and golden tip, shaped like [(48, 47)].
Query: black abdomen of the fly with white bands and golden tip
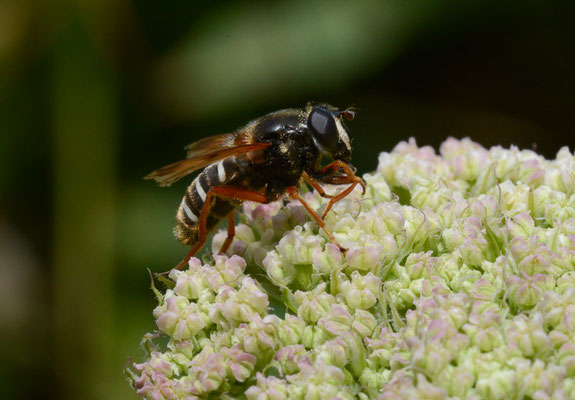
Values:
[(189, 213)]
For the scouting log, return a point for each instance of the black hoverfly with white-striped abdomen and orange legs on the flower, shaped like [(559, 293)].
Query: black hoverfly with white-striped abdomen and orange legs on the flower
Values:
[(260, 162)]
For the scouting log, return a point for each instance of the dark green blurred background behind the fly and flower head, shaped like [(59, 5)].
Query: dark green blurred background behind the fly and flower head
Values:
[(96, 94)]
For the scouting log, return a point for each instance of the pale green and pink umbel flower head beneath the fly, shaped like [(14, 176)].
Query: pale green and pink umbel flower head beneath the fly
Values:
[(458, 282)]
